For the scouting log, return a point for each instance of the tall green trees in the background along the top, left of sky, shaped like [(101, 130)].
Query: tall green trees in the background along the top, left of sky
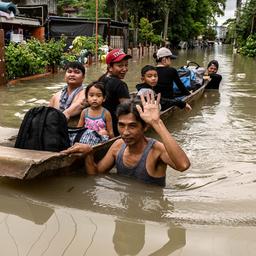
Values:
[(154, 21)]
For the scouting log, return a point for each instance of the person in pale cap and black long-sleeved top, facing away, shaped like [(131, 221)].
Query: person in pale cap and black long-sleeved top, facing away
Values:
[(166, 76)]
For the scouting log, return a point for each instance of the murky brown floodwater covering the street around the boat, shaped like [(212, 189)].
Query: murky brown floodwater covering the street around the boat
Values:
[(208, 210)]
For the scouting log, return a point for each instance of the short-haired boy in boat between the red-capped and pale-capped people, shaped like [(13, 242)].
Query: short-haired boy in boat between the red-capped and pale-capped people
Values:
[(149, 78)]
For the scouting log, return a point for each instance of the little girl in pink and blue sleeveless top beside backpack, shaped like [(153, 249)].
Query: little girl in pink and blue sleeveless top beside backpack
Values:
[(96, 117)]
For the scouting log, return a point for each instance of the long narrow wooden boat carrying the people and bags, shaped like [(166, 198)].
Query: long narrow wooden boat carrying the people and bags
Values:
[(27, 164)]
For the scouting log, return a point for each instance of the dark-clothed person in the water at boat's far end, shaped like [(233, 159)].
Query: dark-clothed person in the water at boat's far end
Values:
[(215, 79)]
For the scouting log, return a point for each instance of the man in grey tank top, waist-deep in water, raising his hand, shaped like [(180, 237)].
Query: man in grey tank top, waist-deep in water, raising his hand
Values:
[(135, 155)]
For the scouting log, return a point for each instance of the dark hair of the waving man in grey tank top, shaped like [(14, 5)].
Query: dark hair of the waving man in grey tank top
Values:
[(128, 107)]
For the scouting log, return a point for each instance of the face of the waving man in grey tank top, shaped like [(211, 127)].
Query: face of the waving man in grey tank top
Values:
[(130, 129)]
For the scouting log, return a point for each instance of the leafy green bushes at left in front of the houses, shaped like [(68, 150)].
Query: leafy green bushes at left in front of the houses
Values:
[(36, 57)]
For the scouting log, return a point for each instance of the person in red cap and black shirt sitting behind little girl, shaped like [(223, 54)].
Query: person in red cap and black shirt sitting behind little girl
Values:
[(116, 89)]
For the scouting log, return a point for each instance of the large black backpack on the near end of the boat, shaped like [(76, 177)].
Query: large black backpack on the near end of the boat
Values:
[(43, 128)]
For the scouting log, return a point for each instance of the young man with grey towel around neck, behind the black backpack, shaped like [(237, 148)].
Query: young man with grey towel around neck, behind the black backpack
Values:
[(70, 100)]
